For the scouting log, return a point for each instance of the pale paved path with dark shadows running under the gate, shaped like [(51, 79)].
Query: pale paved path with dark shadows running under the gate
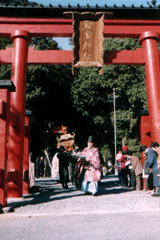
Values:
[(116, 214)]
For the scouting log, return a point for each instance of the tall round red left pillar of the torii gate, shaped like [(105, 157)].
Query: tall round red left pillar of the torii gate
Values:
[(16, 134)]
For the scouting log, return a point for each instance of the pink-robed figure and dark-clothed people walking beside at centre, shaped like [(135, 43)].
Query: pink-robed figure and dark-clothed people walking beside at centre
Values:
[(85, 167)]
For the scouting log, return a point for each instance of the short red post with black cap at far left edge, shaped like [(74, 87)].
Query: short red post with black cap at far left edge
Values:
[(6, 86)]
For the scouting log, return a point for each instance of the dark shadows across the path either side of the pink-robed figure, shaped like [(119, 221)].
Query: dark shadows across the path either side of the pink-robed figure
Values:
[(51, 190)]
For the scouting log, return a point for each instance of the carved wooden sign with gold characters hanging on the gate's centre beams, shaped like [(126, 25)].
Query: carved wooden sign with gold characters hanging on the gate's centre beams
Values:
[(87, 39)]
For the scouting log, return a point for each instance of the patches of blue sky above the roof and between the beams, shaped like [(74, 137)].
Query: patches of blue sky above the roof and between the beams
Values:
[(64, 42)]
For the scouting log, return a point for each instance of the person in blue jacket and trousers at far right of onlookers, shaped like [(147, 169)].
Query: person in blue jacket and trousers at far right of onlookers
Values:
[(152, 163)]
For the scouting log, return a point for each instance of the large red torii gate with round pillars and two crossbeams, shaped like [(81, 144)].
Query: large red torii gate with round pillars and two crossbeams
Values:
[(22, 28)]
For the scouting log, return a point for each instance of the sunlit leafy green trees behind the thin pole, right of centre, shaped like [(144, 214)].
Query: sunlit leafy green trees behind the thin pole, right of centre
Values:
[(93, 99)]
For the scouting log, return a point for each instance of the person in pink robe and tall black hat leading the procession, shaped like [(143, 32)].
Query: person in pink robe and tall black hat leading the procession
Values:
[(92, 168)]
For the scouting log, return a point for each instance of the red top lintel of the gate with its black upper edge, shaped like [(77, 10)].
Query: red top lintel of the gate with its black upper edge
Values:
[(50, 21)]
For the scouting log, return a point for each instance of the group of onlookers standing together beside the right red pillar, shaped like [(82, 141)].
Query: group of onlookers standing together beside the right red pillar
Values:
[(131, 171)]
